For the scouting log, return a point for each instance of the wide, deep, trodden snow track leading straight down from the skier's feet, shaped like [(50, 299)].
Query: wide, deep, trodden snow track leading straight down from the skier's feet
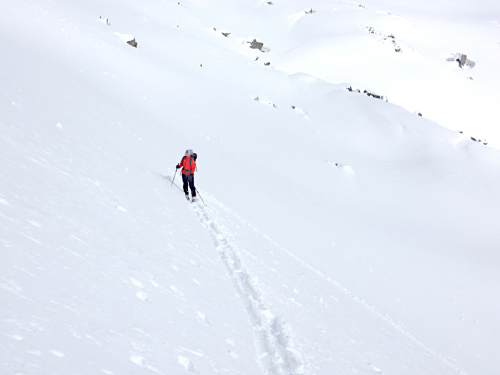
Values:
[(276, 349)]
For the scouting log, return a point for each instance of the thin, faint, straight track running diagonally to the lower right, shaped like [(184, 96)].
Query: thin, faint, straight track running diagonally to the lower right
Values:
[(450, 362)]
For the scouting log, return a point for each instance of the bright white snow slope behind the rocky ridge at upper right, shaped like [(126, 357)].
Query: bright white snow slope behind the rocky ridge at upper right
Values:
[(328, 44)]
